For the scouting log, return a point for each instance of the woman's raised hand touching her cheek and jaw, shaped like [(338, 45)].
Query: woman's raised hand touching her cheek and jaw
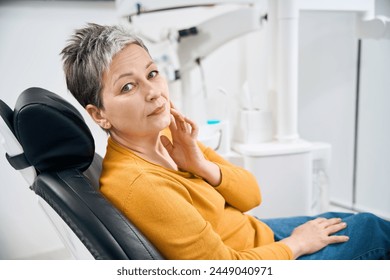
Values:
[(185, 151)]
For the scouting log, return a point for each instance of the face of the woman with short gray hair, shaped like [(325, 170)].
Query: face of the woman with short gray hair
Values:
[(135, 95)]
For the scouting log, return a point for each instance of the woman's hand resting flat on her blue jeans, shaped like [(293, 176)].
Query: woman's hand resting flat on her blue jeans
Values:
[(314, 235)]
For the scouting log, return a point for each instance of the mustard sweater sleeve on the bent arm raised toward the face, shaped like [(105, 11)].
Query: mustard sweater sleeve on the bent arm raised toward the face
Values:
[(239, 187)]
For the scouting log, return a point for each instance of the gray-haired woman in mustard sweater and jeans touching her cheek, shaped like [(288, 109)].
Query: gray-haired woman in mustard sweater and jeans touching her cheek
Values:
[(187, 200)]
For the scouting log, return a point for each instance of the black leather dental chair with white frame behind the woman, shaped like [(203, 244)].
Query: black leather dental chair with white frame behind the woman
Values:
[(47, 140)]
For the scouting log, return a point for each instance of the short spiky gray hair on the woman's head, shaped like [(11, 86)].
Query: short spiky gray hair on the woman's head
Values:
[(89, 54)]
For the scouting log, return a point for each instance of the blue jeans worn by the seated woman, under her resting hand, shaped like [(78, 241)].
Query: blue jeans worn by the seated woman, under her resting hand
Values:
[(369, 236)]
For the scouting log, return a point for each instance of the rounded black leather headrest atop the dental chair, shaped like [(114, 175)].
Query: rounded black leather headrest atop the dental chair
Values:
[(52, 132)]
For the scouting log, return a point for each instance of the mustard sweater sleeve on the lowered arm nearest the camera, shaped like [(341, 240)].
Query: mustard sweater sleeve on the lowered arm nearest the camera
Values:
[(175, 227)]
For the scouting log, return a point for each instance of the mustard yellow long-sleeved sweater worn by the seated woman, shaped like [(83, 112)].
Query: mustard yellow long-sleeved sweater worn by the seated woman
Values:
[(184, 216)]
